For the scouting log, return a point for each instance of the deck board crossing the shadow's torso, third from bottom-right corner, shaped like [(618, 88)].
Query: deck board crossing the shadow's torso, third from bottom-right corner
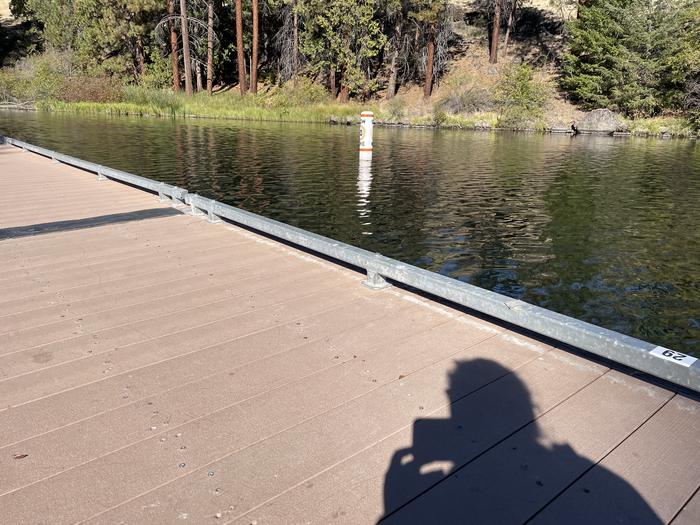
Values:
[(535, 464)]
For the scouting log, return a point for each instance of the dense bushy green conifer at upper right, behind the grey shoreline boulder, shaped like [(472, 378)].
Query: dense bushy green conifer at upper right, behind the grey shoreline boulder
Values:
[(621, 52)]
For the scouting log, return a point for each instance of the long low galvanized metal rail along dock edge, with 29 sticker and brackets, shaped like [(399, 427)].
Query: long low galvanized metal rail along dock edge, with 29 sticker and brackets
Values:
[(655, 360)]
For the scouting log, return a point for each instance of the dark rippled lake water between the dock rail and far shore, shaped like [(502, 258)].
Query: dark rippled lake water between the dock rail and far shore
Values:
[(603, 229)]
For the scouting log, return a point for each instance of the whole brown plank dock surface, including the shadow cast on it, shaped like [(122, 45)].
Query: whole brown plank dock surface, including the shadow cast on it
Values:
[(155, 368)]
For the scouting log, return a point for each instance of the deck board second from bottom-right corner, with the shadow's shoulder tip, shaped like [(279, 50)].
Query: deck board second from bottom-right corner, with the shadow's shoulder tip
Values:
[(660, 462)]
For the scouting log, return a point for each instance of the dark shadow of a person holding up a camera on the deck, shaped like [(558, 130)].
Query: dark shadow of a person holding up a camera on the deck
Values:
[(487, 463)]
